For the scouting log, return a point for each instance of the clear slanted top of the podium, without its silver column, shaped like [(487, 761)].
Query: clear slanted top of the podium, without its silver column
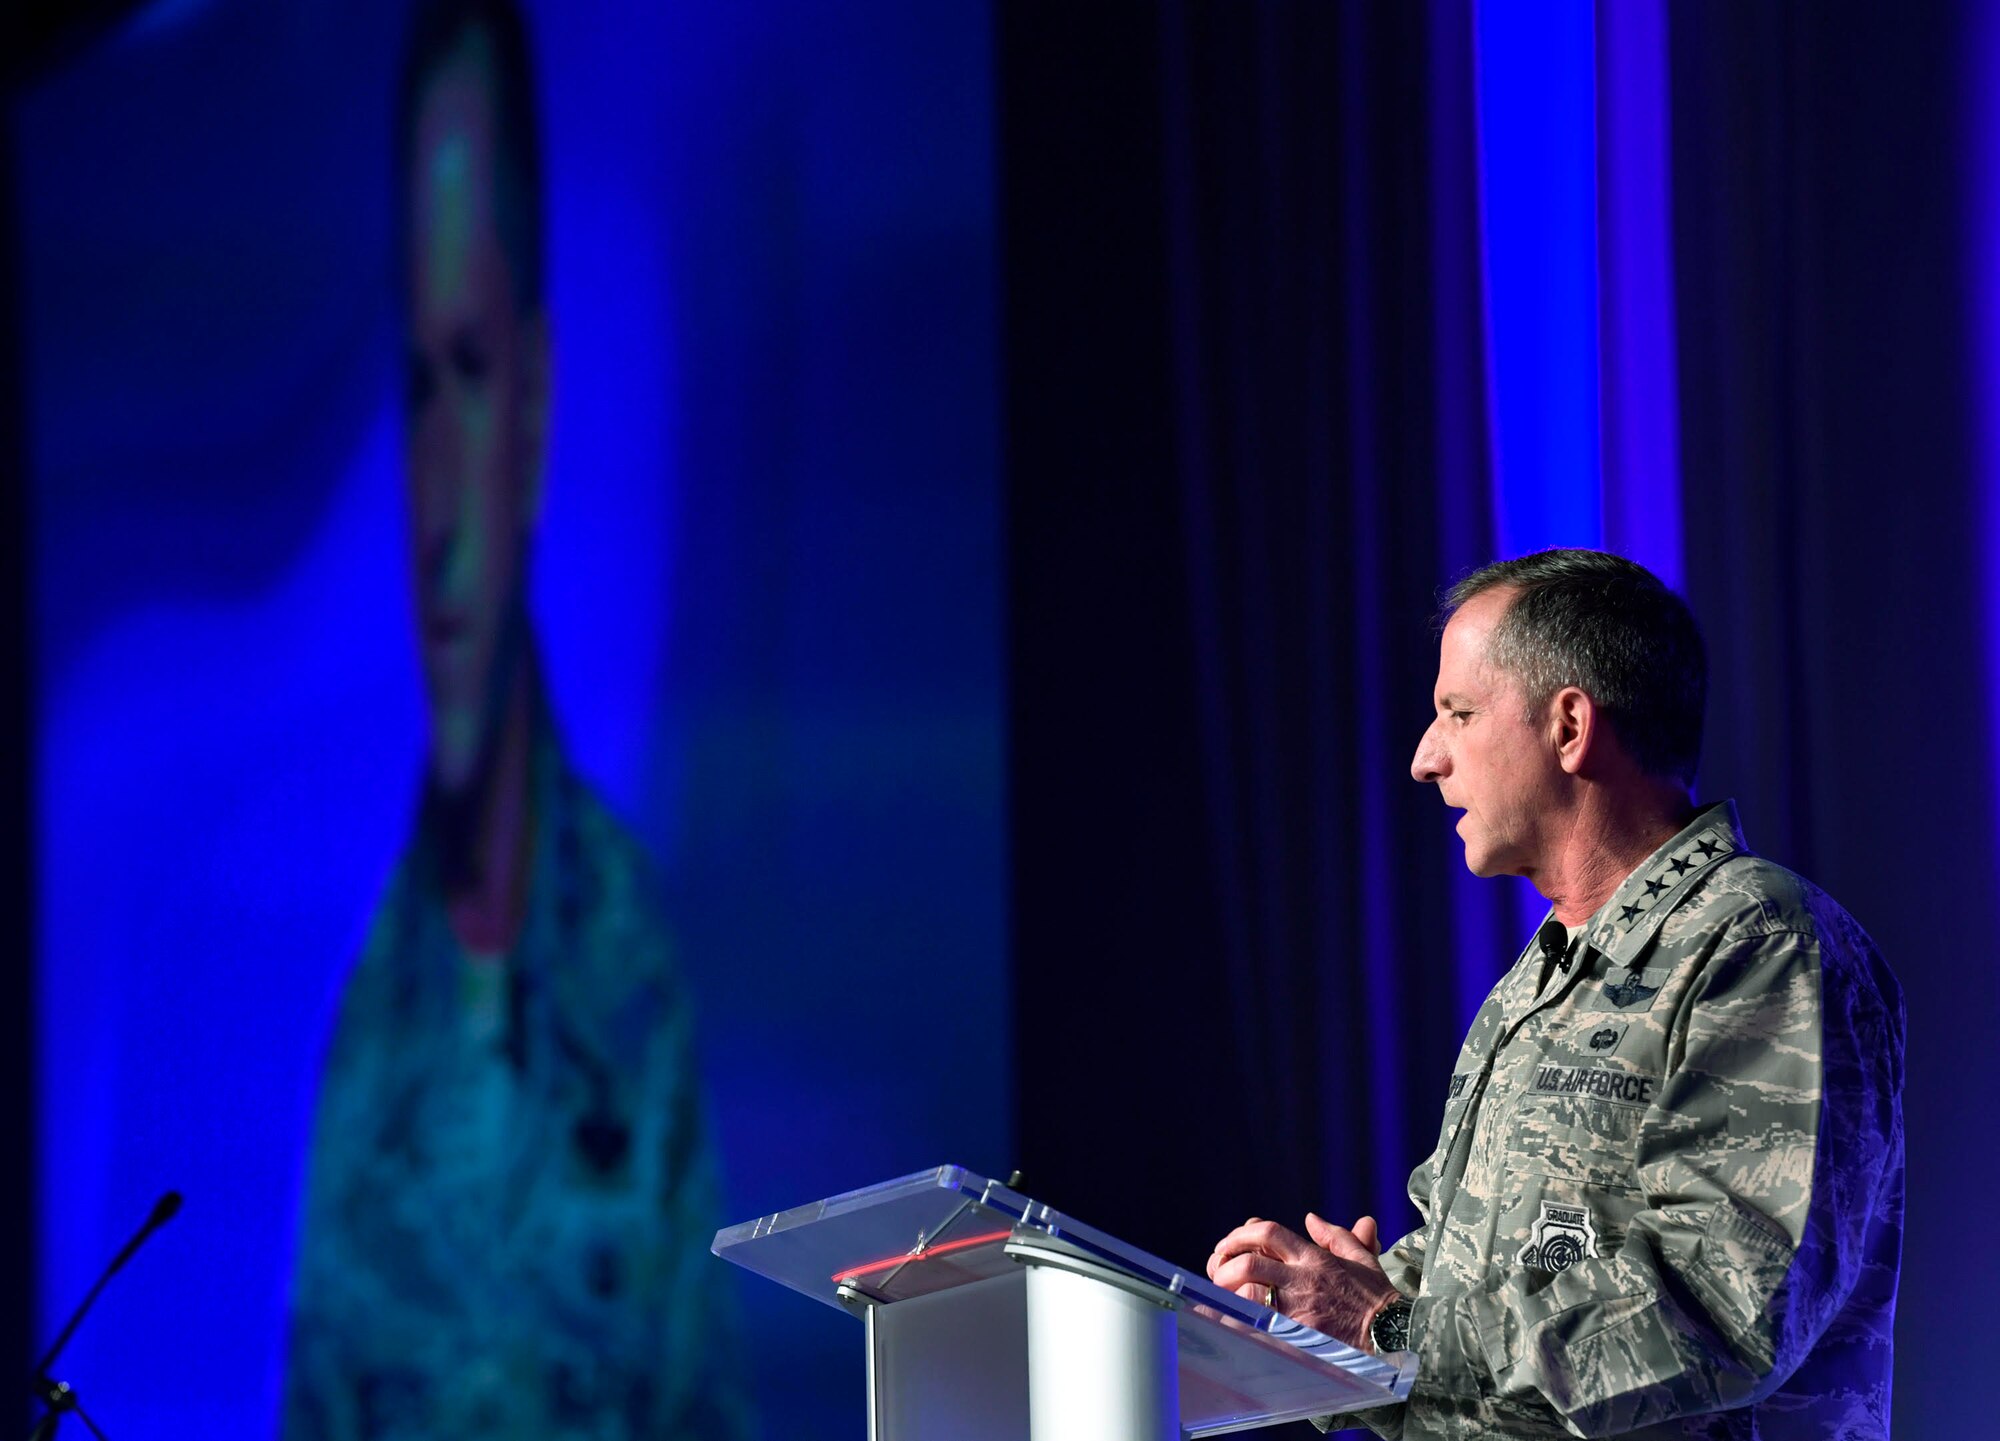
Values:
[(1241, 1364)]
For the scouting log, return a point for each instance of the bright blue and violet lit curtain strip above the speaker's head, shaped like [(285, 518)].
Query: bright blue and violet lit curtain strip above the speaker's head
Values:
[(1581, 359)]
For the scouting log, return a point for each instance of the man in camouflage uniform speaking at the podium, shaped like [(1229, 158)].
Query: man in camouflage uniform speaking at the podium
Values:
[(1667, 1194)]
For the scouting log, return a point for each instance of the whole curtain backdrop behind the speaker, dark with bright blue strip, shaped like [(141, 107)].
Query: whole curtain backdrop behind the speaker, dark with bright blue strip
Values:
[(1315, 307)]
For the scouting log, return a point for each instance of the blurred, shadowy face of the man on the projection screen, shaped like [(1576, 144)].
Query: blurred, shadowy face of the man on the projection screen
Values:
[(477, 405)]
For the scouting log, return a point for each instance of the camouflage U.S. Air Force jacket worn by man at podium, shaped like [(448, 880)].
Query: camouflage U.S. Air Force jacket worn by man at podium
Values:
[(1667, 1196)]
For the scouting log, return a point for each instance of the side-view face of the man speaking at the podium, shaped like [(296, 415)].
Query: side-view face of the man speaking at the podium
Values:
[(1483, 754)]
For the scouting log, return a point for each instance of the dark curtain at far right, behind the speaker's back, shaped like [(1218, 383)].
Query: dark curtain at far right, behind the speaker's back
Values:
[(1833, 525)]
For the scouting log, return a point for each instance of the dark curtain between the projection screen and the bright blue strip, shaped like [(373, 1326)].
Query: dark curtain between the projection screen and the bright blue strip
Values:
[(1247, 445)]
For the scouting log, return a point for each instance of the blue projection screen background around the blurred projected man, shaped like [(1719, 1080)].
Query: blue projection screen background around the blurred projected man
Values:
[(767, 593)]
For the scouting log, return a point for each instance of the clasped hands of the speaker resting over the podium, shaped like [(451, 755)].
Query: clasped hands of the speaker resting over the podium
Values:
[(1333, 1284)]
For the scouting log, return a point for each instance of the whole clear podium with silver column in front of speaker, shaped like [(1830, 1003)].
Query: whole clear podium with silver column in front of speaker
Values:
[(993, 1318)]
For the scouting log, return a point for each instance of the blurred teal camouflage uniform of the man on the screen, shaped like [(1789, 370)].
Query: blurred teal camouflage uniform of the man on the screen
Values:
[(511, 1190)]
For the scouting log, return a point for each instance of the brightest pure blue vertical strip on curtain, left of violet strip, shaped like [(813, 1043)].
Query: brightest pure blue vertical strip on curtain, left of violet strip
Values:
[(1539, 195)]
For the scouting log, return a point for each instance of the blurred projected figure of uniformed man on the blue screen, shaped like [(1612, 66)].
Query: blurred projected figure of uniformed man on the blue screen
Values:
[(509, 1196)]
